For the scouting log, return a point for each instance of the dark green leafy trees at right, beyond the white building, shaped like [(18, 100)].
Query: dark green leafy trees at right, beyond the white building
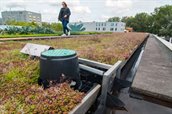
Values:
[(158, 22)]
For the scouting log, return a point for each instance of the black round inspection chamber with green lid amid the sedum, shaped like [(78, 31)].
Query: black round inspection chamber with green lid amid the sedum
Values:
[(54, 64)]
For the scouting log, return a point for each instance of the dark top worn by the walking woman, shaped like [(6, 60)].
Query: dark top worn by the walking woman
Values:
[(63, 12)]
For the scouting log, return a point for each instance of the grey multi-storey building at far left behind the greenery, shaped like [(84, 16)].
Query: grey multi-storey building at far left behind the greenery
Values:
[(24, 16)]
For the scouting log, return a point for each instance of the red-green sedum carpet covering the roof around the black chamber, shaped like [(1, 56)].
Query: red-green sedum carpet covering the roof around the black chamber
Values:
[(19, 92)]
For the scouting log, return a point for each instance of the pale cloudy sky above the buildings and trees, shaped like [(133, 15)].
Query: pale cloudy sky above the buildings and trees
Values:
[(84, 10)]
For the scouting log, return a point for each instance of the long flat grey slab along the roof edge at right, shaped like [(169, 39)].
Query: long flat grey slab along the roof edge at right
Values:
[(154, 75)]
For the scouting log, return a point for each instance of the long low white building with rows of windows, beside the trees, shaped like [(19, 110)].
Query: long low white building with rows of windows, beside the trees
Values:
[(102, 26)]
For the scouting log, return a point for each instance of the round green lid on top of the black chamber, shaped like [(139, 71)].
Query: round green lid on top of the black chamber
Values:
[(59, 53)]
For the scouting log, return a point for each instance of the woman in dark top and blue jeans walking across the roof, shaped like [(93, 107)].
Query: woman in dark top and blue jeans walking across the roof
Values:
[(64, 16)]
